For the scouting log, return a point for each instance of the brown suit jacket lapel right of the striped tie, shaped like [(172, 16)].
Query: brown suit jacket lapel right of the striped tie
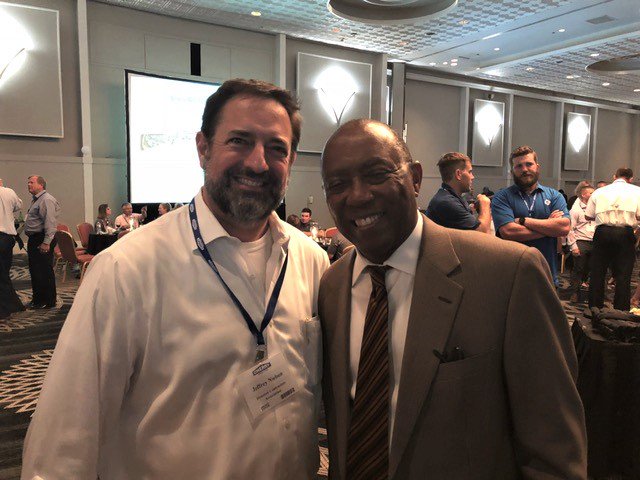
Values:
[(433, 308)]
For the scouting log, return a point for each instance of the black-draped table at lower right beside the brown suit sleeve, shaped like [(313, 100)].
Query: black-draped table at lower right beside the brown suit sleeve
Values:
[(609, 386)]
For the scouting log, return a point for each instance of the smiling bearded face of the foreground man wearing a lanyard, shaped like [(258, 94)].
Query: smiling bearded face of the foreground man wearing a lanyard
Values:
[(247, 161)]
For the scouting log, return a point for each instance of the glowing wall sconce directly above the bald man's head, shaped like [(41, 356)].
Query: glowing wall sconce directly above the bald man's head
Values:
[(336, 89)]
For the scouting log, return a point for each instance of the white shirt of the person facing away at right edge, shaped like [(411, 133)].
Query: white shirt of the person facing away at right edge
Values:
[(616, 204)]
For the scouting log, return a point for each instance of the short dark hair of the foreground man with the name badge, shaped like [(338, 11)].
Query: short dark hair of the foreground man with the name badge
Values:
[(250, 88)]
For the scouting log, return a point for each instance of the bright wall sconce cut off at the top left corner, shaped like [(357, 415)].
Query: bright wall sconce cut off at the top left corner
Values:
[(14, 45)]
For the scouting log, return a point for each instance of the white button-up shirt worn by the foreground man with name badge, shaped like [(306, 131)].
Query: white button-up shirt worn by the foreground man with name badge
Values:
[(142, 384)]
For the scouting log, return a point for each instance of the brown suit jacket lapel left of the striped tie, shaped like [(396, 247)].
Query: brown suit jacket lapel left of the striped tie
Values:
[(339, 317)]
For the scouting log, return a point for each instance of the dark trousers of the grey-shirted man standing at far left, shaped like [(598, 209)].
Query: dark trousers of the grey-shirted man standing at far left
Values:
[(43, 280)]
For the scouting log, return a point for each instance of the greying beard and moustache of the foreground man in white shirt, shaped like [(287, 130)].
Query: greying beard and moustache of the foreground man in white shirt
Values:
[(244, 206)]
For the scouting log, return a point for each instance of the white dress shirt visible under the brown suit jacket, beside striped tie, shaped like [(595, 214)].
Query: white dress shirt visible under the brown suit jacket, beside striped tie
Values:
[(399, 281)]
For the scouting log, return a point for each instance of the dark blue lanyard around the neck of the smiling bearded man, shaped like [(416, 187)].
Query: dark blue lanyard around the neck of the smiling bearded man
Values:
[(261, 350)]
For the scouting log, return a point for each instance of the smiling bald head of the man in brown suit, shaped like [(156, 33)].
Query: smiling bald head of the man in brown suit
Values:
[(370, 190)]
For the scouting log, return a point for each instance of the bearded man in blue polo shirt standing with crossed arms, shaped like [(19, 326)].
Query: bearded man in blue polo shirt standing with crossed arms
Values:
[(528, 212)]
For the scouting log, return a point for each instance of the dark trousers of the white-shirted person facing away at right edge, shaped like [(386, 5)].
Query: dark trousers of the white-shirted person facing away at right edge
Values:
[(613, 246)]
